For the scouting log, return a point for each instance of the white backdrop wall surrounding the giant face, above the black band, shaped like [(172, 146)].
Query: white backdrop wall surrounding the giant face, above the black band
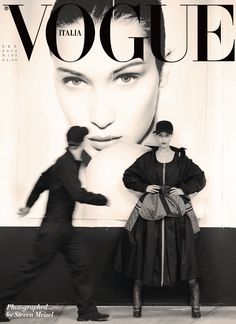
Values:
[(198, 97)]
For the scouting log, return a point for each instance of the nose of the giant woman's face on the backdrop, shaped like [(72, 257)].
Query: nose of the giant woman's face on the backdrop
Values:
[(101, 111)]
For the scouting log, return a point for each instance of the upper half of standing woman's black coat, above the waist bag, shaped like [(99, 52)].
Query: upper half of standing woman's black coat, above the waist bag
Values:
[(184, 173)]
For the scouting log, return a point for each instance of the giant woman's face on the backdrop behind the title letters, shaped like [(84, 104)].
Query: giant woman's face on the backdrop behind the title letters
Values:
[(116, 101)]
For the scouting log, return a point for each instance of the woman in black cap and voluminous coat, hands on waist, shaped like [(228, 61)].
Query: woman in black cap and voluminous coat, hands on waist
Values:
[(158, 247)]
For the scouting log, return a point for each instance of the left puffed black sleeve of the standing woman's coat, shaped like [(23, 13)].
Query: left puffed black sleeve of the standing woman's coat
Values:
[(133, 177)]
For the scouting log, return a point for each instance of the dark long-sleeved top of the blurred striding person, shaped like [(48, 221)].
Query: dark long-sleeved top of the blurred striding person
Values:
[(61, 179)]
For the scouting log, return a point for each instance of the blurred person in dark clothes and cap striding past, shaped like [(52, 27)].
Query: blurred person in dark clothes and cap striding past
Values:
[(56, 233)]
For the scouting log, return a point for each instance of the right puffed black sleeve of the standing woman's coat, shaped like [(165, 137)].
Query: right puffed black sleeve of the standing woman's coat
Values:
[(194, 178)]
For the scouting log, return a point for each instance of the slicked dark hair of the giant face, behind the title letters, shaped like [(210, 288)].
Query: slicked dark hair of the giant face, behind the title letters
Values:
[(98, 8)]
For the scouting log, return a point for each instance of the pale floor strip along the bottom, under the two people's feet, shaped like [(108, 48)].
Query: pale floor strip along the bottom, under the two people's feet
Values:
[(22, 314)]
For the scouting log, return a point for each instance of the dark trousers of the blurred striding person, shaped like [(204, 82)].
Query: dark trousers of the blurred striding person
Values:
[(51, 239)]
